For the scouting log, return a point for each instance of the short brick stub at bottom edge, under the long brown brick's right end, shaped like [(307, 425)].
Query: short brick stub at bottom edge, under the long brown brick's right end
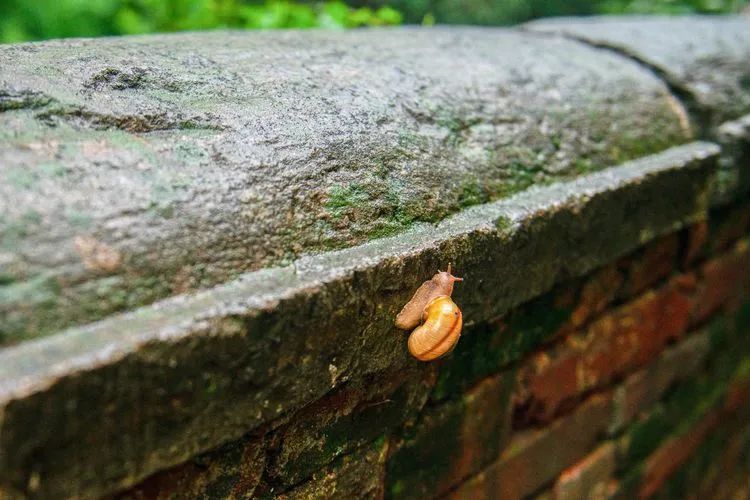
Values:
[(591, 477)]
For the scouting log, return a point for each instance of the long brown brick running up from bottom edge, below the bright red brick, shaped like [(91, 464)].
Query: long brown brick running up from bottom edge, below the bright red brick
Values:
[(535, 457)]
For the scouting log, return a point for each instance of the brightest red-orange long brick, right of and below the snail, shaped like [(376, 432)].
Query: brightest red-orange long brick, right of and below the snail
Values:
[(628, 338)]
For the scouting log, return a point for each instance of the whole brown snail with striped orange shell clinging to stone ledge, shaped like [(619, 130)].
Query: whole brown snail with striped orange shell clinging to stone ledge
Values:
[(435, 318)]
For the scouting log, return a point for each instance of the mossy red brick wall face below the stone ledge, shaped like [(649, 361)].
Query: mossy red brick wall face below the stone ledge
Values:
[(631, 382)]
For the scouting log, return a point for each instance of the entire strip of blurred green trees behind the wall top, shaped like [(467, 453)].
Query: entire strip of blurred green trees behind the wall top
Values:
[(22, 20)]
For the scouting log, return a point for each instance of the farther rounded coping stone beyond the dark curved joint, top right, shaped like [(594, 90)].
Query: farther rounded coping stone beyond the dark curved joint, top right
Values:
[(703, 58)]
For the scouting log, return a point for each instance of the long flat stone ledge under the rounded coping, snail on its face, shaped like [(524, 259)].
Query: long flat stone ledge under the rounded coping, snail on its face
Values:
[(114, 401)]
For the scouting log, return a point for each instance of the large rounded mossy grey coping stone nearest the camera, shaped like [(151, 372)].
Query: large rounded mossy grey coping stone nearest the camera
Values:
[(132, 169)]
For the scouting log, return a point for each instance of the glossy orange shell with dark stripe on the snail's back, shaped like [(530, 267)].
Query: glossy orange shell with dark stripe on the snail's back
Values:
[(440, 330)]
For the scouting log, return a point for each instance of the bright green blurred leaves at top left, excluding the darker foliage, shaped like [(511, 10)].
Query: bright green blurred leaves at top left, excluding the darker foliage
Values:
[(41, 19)]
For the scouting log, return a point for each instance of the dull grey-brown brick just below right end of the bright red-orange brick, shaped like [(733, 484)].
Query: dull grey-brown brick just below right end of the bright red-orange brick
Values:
[(645, 387)]
